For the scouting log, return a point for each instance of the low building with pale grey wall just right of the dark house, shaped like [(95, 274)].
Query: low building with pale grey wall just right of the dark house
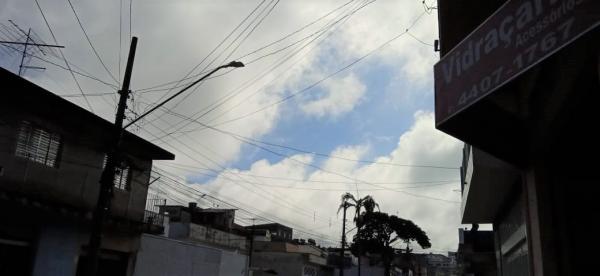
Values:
[(196, 241)]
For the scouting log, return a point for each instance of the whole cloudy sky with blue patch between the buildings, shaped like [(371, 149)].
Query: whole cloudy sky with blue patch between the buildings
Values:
[(326, 84)]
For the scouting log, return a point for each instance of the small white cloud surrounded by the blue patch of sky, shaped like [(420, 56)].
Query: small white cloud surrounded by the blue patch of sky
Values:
[(341, 96)]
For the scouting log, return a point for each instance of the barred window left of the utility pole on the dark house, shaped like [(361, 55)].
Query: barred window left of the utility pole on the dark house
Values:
[(38, 145)]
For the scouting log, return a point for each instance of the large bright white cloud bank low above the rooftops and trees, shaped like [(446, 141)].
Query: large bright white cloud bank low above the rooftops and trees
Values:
[(310, 209)]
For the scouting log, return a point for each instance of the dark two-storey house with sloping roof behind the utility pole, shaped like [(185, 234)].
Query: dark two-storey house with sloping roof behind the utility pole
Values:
[(51, 157)]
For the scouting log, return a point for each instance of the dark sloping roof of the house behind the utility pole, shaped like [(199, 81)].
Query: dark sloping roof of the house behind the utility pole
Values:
[(45, 104)]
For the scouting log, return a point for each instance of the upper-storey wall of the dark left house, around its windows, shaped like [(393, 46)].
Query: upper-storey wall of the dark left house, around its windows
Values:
[(75, 181)]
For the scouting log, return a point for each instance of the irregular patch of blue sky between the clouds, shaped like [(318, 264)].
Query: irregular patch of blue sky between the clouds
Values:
[(376, 121)]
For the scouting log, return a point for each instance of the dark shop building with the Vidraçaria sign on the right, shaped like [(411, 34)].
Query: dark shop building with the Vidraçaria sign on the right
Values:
[(518, 82)]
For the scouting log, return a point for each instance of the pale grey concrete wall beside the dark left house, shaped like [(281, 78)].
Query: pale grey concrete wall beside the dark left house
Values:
[(159, 256)]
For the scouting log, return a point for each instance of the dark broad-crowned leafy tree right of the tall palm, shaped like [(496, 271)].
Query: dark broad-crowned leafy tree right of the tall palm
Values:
[(380, 230)]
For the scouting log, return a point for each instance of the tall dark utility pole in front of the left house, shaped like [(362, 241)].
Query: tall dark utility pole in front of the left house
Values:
[(113, 159)]
